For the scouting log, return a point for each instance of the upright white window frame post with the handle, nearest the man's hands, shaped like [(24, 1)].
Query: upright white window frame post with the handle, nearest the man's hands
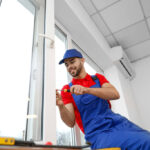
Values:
[(49, 116)]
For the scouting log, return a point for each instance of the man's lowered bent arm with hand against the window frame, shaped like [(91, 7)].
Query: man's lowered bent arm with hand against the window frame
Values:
[(66, 111)]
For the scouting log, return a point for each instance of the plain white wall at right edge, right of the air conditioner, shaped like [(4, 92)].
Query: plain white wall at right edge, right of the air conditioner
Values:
[(141, 90)]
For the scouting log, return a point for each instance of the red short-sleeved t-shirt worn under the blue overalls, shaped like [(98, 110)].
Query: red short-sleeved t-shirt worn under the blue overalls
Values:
[(86, 82)]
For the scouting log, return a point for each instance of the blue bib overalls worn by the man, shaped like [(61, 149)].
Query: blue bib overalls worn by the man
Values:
[(104, 129)]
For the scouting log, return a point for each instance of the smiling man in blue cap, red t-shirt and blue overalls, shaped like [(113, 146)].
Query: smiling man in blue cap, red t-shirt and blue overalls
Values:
[(87, 104)]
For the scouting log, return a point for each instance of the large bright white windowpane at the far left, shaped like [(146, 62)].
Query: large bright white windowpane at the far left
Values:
[(16, 34)]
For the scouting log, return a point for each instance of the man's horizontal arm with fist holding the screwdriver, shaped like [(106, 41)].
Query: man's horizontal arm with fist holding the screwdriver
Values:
[(107, 91)]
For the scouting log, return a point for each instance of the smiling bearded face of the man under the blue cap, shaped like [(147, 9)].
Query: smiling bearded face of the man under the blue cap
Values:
[(74, 66)]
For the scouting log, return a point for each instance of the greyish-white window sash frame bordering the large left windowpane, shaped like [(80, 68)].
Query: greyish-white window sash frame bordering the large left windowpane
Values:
[(34, 126)]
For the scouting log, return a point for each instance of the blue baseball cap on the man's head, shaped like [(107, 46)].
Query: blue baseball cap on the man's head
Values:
[(71, 53)]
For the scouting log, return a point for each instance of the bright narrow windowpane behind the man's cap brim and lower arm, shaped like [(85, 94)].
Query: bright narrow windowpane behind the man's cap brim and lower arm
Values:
[(64, 133)]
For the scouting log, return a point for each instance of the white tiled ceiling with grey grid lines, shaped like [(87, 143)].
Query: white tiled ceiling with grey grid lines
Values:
[(123, 22)]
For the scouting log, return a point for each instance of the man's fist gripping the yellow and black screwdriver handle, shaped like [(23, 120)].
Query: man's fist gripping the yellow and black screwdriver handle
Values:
[(78, 89)]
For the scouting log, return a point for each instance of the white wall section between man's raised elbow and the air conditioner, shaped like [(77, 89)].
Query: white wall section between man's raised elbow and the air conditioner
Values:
[(126, 105)]
